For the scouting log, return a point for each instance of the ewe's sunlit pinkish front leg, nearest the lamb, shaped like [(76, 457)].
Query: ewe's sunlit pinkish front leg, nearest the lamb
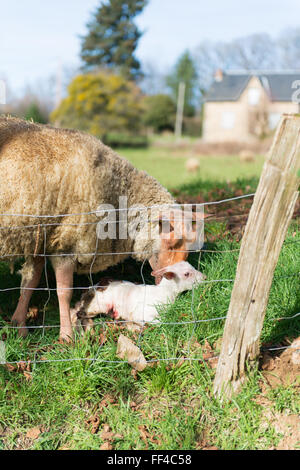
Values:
[(64, 283)]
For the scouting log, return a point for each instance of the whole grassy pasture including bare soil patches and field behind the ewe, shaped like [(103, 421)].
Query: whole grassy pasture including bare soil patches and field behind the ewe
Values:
[(100, 402)]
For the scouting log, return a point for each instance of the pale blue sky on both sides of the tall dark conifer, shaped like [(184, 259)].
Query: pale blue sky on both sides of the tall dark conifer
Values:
[(37, 35)]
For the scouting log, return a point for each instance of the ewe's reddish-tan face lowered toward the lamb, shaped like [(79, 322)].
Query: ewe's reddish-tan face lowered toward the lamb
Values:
[(179, 233)]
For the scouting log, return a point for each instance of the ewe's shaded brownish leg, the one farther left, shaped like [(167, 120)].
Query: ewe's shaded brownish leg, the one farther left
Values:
[(19, 317)]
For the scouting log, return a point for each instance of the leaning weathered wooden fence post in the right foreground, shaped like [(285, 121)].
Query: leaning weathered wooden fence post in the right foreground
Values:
[(265, 231)]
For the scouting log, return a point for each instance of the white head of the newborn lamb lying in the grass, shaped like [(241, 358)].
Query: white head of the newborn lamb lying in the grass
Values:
[(182, 274)]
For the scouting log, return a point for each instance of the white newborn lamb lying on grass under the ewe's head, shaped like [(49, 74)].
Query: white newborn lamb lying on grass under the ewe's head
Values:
[(136, 303)]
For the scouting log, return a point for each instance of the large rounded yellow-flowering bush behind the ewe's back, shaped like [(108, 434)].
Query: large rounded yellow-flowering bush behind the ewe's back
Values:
[(100, 103)]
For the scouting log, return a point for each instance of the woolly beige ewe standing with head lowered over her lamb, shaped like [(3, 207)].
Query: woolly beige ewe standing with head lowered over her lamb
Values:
[(68, 174)]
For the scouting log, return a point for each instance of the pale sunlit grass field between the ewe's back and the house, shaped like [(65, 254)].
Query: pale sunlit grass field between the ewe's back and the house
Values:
[(168, 165)]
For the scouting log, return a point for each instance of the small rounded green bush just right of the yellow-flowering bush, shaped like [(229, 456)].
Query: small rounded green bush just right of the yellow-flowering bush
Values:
[(160, 112)]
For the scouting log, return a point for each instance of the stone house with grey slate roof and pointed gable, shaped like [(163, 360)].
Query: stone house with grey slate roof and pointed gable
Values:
[(242, 107)]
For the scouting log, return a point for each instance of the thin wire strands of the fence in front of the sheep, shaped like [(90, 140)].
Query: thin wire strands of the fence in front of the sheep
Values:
[(106, 323)]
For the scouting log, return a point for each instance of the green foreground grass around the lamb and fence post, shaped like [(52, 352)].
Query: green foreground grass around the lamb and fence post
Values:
[(175, 405)]
